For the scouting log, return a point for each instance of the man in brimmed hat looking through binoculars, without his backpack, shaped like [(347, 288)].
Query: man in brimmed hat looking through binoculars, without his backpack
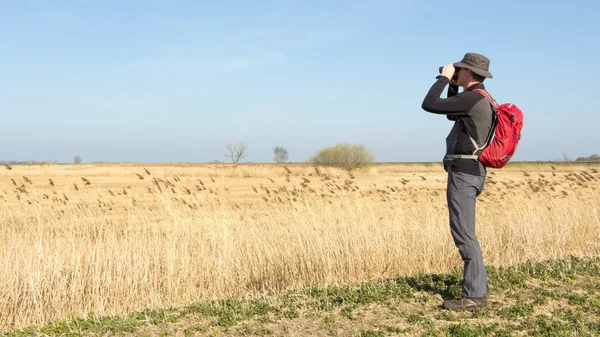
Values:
[(473, 115)]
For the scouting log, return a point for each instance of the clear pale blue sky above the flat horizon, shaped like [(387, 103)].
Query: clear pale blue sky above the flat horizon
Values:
[(160, 81)]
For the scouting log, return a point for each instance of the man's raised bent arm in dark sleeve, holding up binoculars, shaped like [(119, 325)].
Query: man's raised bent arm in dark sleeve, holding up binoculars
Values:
[(452, 106)]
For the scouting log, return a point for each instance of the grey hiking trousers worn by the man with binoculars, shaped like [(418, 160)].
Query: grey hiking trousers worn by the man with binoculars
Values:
[(461, 194)]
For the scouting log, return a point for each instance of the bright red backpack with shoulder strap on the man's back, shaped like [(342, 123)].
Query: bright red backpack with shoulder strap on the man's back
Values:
[(504, 136)]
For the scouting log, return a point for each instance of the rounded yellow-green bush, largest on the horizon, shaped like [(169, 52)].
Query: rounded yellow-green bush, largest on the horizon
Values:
[(346, 156)]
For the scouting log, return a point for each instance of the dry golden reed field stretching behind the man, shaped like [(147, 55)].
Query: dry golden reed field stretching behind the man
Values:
[(114, 239)]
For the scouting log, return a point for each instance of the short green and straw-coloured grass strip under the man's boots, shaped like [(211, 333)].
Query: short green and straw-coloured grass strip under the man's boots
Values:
[(550, 298)]
